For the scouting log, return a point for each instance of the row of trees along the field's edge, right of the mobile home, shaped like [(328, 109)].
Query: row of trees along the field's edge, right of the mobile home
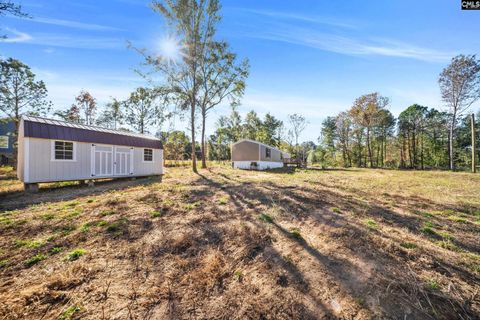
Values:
[(368, 135)]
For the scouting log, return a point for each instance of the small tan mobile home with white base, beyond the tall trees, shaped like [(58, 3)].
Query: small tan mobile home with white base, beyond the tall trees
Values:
[(254, 155)]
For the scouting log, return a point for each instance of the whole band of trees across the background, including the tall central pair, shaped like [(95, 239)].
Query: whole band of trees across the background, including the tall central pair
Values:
[(208, 74)]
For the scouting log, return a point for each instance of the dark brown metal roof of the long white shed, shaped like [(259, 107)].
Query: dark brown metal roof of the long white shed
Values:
[(36, 127)]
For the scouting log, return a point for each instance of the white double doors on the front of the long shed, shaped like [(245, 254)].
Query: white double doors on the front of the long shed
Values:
[(111, 161)]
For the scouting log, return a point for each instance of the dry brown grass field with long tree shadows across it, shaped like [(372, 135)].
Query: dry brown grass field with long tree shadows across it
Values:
[(304, 244)]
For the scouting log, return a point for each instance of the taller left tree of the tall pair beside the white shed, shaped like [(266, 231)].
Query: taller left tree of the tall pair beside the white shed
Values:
[(194, 22)]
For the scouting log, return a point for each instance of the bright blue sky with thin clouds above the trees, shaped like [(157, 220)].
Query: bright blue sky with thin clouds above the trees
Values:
[(310, 57)]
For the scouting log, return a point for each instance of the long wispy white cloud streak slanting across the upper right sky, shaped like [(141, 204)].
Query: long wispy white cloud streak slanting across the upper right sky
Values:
[(343, 36)]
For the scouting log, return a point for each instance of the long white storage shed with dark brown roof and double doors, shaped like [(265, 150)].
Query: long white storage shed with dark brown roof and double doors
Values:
[(52, 150)]
